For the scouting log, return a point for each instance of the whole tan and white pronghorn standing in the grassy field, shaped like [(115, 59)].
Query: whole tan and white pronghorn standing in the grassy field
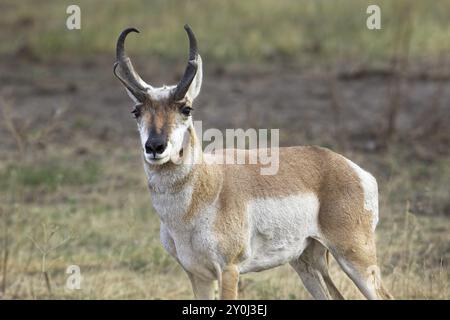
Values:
[(222, 220)]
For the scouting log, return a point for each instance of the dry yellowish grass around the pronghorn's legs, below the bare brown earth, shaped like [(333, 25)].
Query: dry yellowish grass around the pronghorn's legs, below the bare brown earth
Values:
[(107, 227)]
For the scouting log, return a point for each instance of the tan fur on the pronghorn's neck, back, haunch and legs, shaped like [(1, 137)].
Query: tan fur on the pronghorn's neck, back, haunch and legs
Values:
[(301, 170)]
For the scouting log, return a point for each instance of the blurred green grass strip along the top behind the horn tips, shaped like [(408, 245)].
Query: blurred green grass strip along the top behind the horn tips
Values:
[(253, 31)]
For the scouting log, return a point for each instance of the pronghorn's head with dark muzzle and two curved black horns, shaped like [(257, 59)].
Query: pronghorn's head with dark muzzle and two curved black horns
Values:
[(163, 114)]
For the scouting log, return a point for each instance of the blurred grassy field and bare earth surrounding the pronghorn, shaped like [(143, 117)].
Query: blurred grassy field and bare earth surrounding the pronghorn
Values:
[(72, 187)]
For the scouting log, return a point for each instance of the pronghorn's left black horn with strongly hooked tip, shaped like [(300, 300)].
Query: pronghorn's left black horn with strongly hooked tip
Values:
[(127, 75)]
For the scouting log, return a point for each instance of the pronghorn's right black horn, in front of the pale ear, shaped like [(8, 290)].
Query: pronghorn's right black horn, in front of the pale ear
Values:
[(191, 68)]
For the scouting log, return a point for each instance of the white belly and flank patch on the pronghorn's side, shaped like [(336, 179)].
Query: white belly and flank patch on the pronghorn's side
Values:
[(279, 230)]
